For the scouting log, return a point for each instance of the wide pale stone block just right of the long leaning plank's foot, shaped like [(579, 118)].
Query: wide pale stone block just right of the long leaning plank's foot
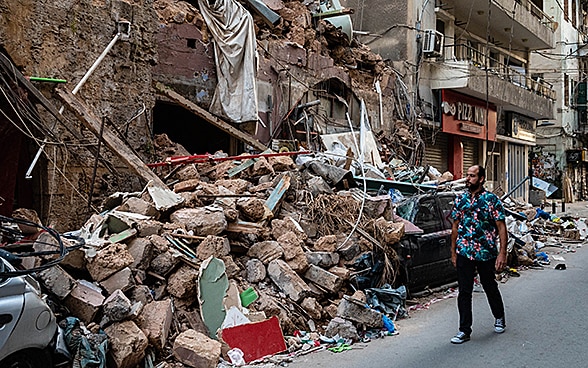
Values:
[(203, 221)]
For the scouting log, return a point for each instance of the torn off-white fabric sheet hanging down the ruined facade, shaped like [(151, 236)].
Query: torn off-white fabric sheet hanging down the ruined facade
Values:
[(231, 26)]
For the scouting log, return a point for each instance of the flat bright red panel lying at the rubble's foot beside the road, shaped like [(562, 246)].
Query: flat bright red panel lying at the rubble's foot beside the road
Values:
[(257, 339)]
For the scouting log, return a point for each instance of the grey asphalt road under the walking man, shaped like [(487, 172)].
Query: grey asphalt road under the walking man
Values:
[(547, 326)]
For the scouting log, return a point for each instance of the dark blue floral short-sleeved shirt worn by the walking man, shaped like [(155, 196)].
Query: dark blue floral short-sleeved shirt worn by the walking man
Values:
[(477, 232)]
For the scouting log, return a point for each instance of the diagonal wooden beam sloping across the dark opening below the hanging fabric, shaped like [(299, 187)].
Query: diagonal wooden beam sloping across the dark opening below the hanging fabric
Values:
[(200, 112)]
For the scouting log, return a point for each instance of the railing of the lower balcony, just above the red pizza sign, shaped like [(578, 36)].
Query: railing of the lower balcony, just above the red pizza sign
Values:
[(509, 73)]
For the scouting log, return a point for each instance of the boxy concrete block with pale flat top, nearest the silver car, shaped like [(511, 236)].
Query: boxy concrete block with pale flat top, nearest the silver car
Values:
[(85, 300)]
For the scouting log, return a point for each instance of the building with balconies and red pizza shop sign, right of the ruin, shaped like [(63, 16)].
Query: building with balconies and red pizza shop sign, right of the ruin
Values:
[(469, 66)]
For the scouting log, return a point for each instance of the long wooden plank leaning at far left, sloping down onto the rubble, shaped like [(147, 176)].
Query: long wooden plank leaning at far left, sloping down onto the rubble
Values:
[(91, 121)]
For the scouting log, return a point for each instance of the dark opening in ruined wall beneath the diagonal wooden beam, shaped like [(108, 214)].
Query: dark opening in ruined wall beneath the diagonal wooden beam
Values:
[(181, 126)]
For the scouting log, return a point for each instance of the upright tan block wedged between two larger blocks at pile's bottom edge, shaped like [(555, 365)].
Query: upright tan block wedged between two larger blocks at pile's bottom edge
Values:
[(155, 321)]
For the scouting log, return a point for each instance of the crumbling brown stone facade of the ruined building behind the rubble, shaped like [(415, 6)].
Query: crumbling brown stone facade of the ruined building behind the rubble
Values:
[(309, 78)]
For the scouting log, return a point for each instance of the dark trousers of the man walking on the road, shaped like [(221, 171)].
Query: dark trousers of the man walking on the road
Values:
[(466, 269)]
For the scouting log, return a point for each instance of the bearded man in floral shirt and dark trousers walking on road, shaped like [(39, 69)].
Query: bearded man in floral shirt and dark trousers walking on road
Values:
[(478, 219)]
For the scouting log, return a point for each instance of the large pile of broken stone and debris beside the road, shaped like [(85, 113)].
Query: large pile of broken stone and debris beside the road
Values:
[(236, 242)]
